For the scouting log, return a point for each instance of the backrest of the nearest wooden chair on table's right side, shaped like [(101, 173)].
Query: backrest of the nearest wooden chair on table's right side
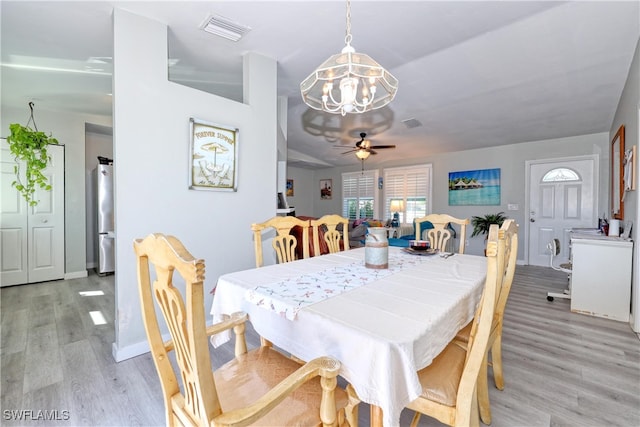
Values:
[(481, 328)]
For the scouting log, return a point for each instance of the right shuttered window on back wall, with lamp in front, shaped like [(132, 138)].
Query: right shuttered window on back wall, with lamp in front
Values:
[(411, 185)]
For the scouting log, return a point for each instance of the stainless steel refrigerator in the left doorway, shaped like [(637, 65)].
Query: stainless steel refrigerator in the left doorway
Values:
[(105, 249)]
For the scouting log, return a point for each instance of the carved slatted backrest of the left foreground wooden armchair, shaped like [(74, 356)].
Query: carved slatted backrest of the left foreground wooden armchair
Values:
[(199, 399)]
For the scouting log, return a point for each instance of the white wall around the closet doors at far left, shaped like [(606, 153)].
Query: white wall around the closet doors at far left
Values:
[(68, 129)]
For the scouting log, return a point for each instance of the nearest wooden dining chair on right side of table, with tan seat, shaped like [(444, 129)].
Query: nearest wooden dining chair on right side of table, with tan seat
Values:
[(449, 383)]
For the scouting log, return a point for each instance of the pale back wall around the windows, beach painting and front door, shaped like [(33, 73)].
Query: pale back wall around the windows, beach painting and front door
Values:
[(511, 161)]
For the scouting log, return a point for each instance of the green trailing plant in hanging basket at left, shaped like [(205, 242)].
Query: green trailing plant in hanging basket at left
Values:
[(30, 146)]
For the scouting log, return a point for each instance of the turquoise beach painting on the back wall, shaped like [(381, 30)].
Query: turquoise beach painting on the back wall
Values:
[(474, 188)]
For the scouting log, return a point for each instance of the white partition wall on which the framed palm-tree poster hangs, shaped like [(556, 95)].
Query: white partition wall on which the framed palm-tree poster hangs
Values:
[(151, 145)]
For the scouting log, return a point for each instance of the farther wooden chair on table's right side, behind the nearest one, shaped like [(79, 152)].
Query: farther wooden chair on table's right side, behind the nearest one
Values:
[(508, 234)]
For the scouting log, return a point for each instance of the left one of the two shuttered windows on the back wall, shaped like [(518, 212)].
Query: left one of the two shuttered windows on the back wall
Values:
[(359, 194)]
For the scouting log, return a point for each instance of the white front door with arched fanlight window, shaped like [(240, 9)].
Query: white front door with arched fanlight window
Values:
[(562, 195)]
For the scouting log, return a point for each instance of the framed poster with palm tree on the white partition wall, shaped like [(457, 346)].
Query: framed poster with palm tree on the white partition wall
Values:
[(213, 156)]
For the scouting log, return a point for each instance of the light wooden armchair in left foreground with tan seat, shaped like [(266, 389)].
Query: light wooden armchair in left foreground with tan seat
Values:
[(261, 386)]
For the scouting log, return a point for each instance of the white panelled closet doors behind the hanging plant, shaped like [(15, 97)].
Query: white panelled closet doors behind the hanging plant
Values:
[(32, 237)]
